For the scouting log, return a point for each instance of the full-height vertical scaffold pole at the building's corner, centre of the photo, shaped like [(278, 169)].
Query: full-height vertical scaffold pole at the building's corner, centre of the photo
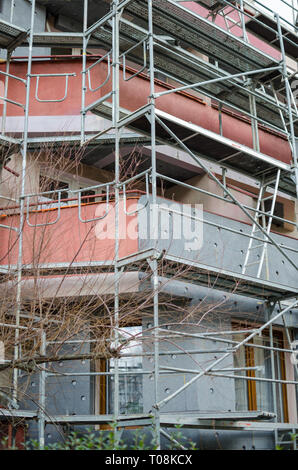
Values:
[(154, 221)]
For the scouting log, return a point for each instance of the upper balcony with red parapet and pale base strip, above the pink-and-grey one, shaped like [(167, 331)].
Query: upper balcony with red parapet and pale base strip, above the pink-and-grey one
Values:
[(57, 104)]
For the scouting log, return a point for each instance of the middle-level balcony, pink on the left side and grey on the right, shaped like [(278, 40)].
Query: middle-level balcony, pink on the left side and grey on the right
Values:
[(77, 241)]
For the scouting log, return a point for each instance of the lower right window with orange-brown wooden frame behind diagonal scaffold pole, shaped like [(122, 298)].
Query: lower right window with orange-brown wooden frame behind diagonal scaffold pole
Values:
[(258, 395)]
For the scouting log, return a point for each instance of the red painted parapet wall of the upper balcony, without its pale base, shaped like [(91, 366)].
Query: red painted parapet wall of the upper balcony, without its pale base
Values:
[(133, 95)]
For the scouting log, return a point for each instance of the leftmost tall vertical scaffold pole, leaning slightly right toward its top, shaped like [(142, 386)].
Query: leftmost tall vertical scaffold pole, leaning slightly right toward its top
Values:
[(22, 203)]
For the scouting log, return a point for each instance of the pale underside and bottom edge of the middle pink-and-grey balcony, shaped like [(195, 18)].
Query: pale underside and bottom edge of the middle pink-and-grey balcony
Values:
[(188, 271)]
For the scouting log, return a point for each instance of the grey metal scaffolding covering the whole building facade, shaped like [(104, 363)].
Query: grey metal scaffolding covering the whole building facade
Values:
[(164, 37)]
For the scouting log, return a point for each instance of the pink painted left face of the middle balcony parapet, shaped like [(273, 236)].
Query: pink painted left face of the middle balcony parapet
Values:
[(70, 240)]
